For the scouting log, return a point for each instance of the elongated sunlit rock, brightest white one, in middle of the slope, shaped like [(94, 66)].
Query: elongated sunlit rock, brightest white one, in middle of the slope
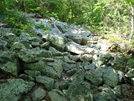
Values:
[(78, 49)]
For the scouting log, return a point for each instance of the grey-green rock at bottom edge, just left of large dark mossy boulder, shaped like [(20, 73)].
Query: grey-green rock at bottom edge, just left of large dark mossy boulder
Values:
[(56, 95)]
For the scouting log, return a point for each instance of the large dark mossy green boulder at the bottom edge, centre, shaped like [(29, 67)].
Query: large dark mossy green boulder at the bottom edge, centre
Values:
[(79, 91)]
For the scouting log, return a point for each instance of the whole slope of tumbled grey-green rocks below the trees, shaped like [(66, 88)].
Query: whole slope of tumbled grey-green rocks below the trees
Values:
[(66, 64)]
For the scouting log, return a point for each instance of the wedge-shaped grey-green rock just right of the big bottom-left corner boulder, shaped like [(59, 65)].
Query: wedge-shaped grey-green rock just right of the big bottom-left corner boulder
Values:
[(47, 81)]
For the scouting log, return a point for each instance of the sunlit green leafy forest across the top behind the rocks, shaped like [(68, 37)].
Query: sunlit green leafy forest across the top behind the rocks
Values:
[(101, 16)]
